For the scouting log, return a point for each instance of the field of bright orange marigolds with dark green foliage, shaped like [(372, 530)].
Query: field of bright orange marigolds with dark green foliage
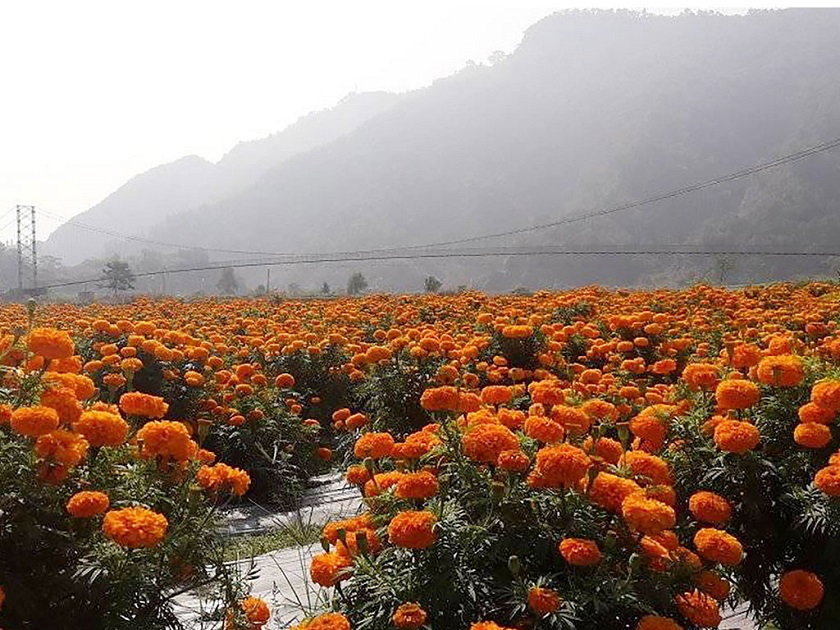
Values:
[(640, 460)]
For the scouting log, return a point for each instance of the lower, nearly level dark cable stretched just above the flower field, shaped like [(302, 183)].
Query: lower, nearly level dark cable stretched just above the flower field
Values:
[(476, 253)]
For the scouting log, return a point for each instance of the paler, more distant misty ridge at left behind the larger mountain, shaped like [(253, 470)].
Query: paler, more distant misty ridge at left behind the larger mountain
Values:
[(191, 182)]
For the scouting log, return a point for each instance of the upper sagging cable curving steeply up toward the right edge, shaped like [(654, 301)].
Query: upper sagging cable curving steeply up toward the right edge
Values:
[(745, 172)]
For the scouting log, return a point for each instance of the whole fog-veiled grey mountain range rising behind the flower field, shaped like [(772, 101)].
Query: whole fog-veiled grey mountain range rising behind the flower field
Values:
[(593, 109)]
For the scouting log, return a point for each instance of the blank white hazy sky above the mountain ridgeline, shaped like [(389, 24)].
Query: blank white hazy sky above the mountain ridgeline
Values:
[(94, 92)]
